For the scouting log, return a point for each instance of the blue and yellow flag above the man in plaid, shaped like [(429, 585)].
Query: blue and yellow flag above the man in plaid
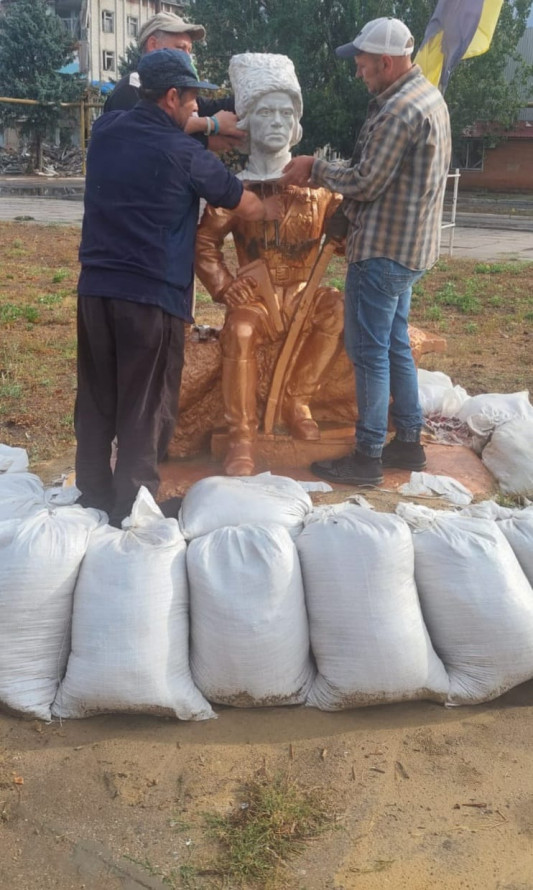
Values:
[(458, 29)]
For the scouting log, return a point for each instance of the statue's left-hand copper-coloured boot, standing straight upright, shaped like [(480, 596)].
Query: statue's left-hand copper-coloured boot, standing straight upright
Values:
[(239, 378)]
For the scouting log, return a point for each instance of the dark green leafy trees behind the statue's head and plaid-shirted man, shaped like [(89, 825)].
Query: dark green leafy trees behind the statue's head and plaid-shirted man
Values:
[(334, 103)]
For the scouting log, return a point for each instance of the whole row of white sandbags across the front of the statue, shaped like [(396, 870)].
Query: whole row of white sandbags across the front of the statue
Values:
[(255, 598)]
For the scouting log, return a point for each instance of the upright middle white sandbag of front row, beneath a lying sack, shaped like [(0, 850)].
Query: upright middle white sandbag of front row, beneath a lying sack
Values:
[(249, 633)]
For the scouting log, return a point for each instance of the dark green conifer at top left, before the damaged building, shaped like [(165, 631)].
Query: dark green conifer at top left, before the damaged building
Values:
[(34, 46)]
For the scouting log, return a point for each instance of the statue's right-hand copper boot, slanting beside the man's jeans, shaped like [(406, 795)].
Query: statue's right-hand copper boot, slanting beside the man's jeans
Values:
[(317, 353)]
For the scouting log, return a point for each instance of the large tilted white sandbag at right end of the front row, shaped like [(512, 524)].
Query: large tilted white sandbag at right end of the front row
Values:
[(476, 601)]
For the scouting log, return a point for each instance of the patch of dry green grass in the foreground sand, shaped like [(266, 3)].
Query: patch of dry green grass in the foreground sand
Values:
[(271, 825)]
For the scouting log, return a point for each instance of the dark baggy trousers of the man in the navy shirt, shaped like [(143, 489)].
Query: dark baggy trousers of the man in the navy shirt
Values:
[(130, 358)]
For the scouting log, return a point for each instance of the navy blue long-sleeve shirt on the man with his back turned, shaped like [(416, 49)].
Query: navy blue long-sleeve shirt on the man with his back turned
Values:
[(144, 181)]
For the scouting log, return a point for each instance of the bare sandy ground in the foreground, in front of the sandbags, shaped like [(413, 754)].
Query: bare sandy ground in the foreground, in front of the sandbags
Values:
[(425, 797)]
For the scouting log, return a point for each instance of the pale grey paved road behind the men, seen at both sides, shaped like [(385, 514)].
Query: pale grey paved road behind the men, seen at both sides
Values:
[(484, 242)]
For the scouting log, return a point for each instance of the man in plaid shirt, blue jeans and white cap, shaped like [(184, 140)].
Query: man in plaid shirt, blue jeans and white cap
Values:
[(393, 191)]
